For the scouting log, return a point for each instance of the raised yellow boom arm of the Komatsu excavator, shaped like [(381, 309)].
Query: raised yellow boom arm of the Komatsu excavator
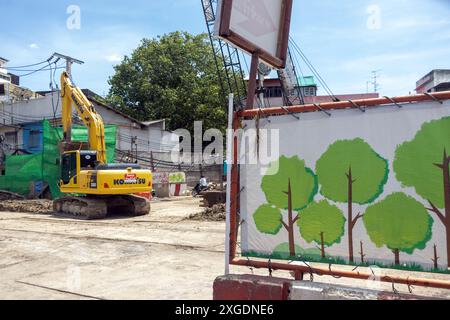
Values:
[(73, 96)]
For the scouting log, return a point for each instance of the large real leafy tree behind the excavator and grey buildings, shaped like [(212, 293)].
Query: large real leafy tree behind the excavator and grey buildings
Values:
[(171, 77)]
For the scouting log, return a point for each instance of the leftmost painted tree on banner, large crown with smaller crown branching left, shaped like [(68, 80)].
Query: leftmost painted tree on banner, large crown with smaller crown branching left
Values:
[(288, 185)]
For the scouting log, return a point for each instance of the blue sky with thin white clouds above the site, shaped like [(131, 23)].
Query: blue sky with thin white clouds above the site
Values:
[(341, 38)]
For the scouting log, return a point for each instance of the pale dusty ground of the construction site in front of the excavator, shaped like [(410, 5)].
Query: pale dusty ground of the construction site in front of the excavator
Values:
[(161, 256)]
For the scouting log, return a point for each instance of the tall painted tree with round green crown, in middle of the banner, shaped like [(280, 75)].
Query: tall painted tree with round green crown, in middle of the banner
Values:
[(350, 171)]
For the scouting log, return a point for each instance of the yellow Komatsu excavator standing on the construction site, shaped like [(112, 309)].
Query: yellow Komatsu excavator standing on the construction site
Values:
[(93, 187)]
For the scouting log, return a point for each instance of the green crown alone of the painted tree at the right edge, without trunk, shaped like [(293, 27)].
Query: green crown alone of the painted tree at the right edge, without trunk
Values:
[(415, 160)]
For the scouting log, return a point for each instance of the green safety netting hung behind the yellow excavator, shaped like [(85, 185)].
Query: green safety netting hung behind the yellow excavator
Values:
[(21, 172)]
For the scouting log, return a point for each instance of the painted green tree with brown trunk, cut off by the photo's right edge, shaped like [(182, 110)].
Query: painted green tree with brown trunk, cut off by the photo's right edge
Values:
[(424, 164)]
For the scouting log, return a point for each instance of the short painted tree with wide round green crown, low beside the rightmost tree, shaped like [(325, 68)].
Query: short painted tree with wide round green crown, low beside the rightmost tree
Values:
[(400, 223)]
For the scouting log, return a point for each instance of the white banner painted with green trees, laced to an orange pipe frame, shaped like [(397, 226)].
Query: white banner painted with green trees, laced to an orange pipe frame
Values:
[(360, 188)]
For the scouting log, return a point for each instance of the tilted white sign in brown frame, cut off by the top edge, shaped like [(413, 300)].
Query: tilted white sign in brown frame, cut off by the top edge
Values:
[(257, 26)]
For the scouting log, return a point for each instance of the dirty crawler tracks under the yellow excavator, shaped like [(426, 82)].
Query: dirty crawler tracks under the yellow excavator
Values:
[(93, 208)]
